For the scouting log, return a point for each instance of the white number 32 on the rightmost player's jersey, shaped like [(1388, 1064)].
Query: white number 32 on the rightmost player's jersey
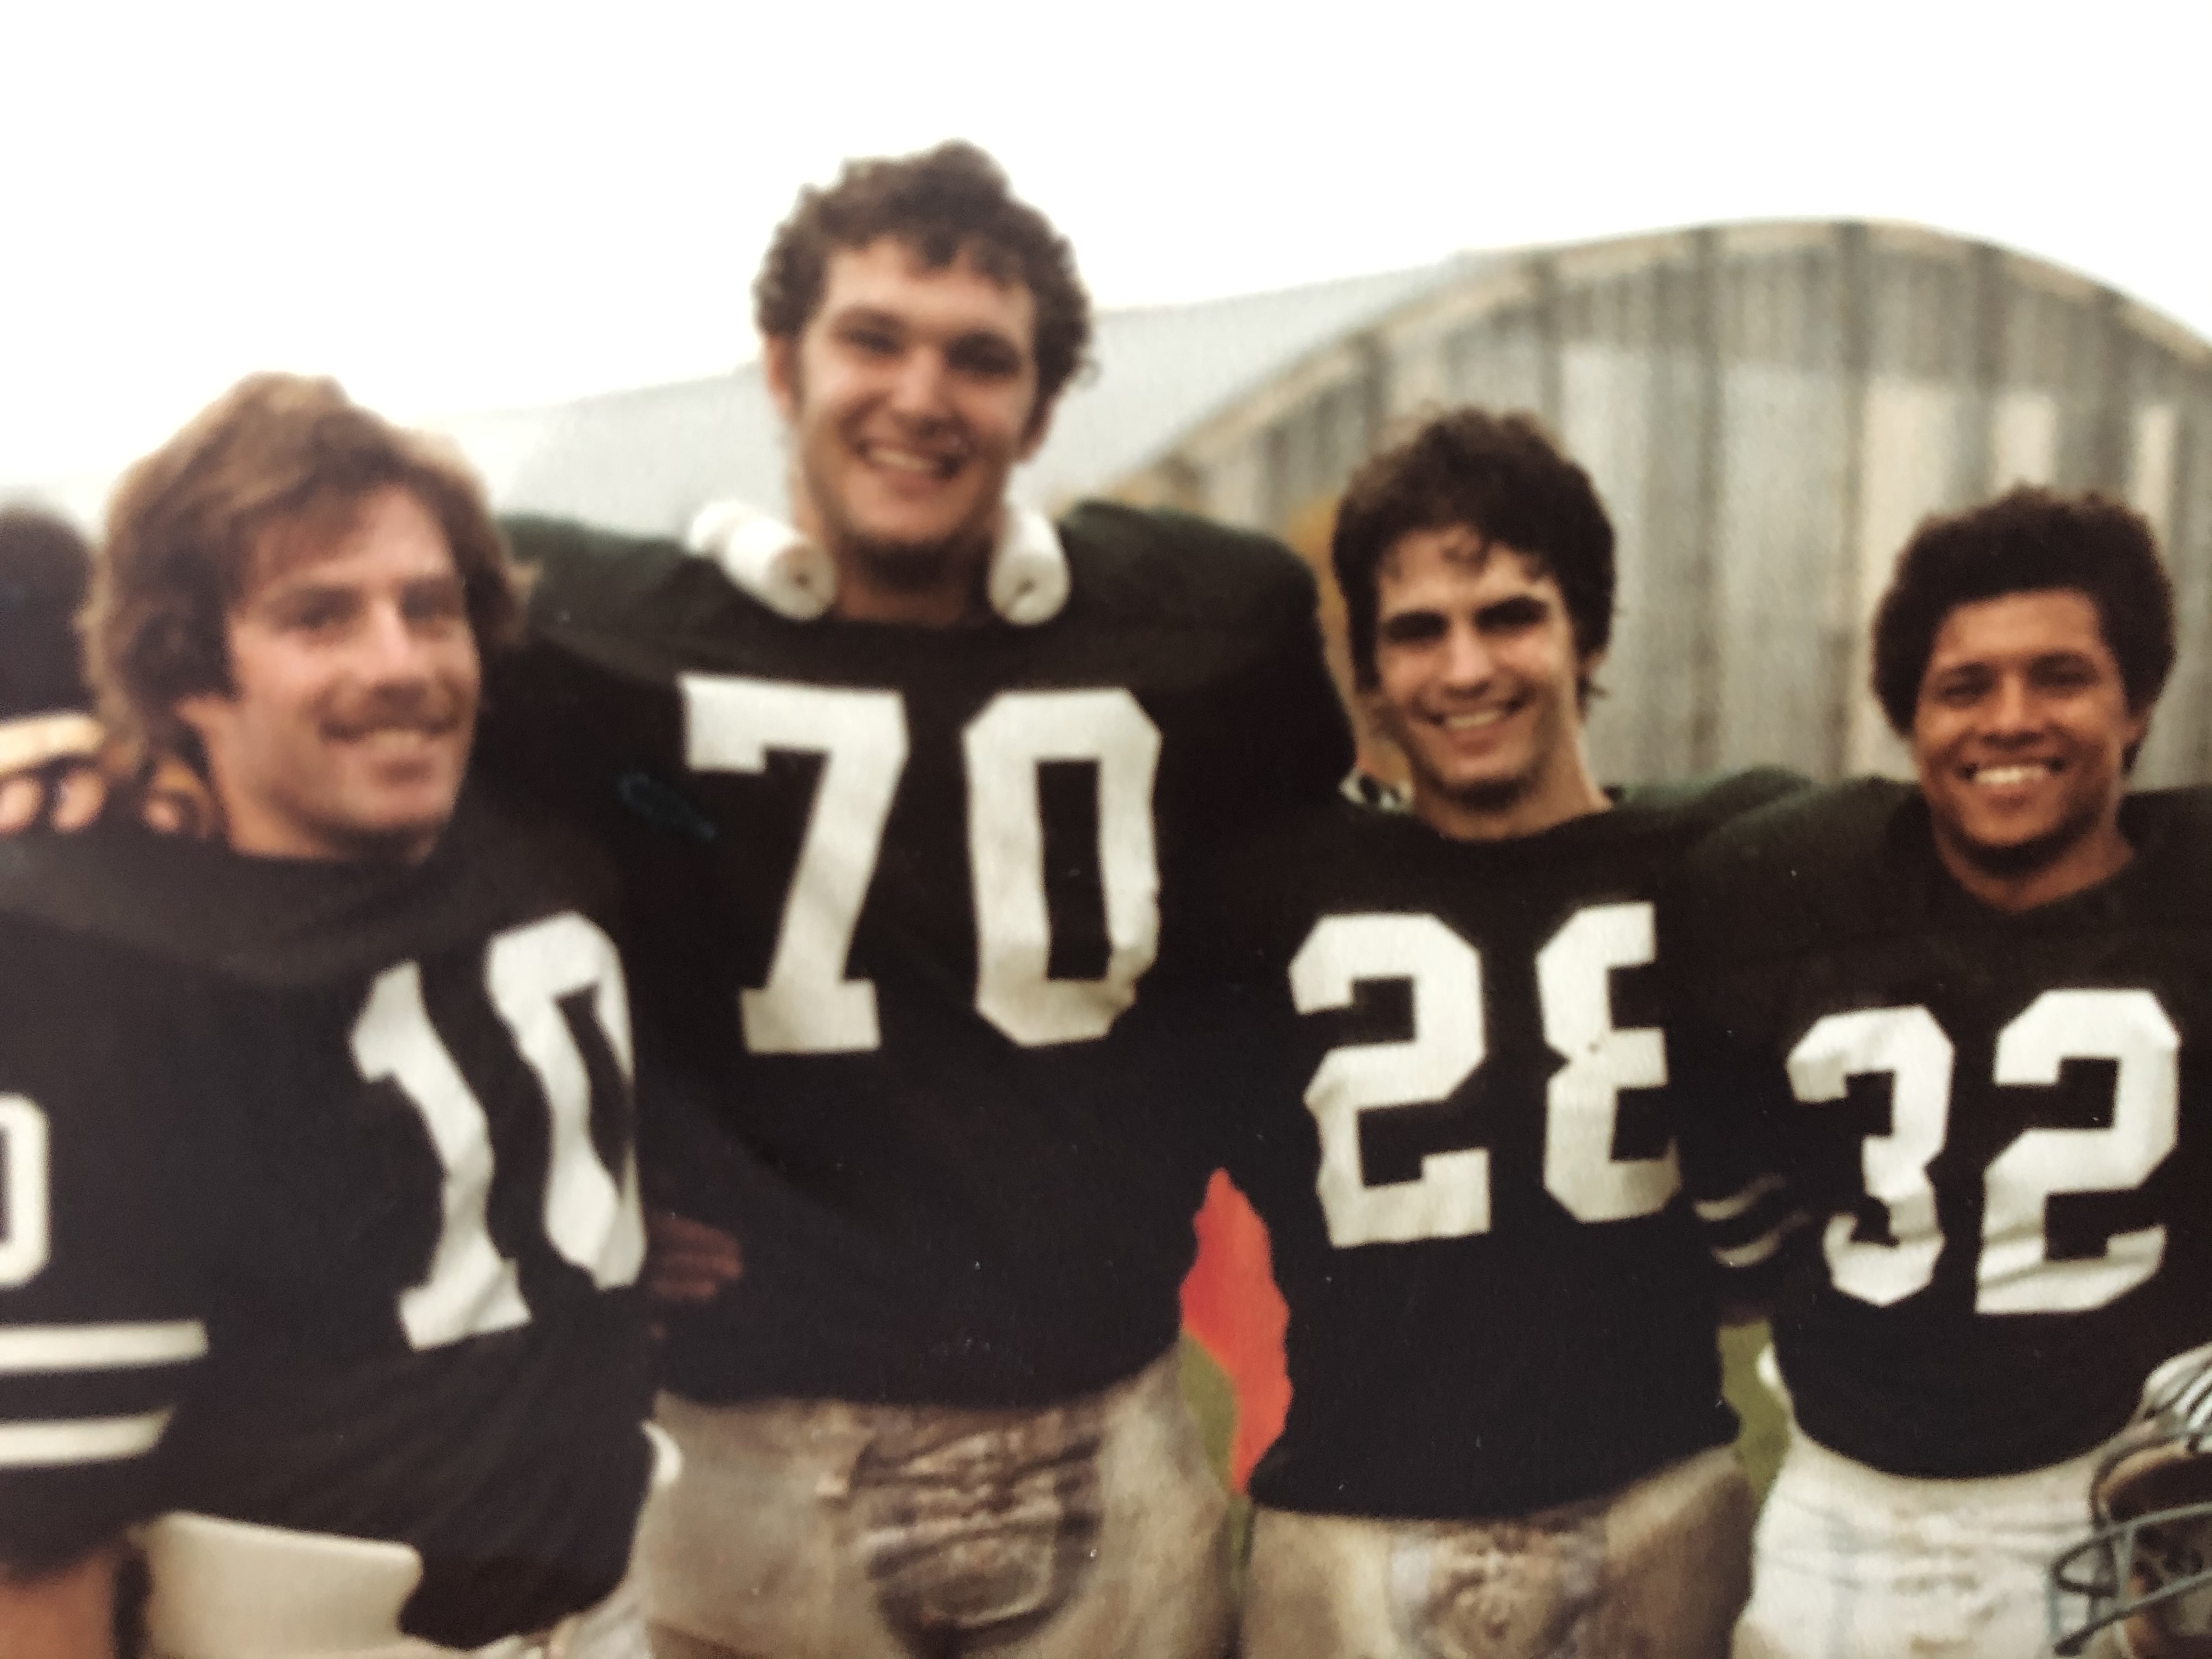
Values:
[(2014, 1273)]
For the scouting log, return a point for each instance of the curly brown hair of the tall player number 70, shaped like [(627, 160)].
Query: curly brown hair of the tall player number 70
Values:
[(946, 205)]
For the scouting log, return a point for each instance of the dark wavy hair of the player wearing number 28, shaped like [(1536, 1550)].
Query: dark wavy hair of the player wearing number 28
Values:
[(1503, 479)]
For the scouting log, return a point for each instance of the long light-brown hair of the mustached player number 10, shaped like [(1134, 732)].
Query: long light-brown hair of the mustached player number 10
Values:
[(191, 530)]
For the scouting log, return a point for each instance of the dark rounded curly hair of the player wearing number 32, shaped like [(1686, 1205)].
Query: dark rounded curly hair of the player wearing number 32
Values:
[(2027, 541)]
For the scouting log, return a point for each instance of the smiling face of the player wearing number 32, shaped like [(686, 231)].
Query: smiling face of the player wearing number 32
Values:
[(2021, 735)]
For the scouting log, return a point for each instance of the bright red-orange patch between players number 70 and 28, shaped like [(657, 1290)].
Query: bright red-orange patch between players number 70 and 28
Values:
[(1238, 1315)]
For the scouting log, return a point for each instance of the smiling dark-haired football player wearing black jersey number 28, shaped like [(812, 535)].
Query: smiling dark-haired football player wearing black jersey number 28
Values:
[(1505, 1423)]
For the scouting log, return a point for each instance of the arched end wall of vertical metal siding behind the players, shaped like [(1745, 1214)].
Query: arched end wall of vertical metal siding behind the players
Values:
[(1768, 415)]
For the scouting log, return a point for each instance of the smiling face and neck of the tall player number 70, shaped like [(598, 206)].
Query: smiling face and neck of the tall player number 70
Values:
[(912, 395)]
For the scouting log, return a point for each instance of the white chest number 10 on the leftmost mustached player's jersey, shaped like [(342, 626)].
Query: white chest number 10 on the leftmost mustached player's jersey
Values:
[(592, 1213)]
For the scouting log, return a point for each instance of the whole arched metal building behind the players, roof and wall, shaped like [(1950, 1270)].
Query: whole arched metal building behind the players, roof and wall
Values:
[(1766, 408)]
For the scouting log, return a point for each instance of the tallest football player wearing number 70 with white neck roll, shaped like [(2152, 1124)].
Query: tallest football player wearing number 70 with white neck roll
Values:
[(908, 791)]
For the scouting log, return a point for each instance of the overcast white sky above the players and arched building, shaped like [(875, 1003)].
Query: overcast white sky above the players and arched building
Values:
[(461, 207)]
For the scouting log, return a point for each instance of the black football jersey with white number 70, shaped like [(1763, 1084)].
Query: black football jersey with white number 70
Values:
[(897, 901)]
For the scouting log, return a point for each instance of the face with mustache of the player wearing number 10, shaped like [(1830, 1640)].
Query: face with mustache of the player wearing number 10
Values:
[(353, 689)]
